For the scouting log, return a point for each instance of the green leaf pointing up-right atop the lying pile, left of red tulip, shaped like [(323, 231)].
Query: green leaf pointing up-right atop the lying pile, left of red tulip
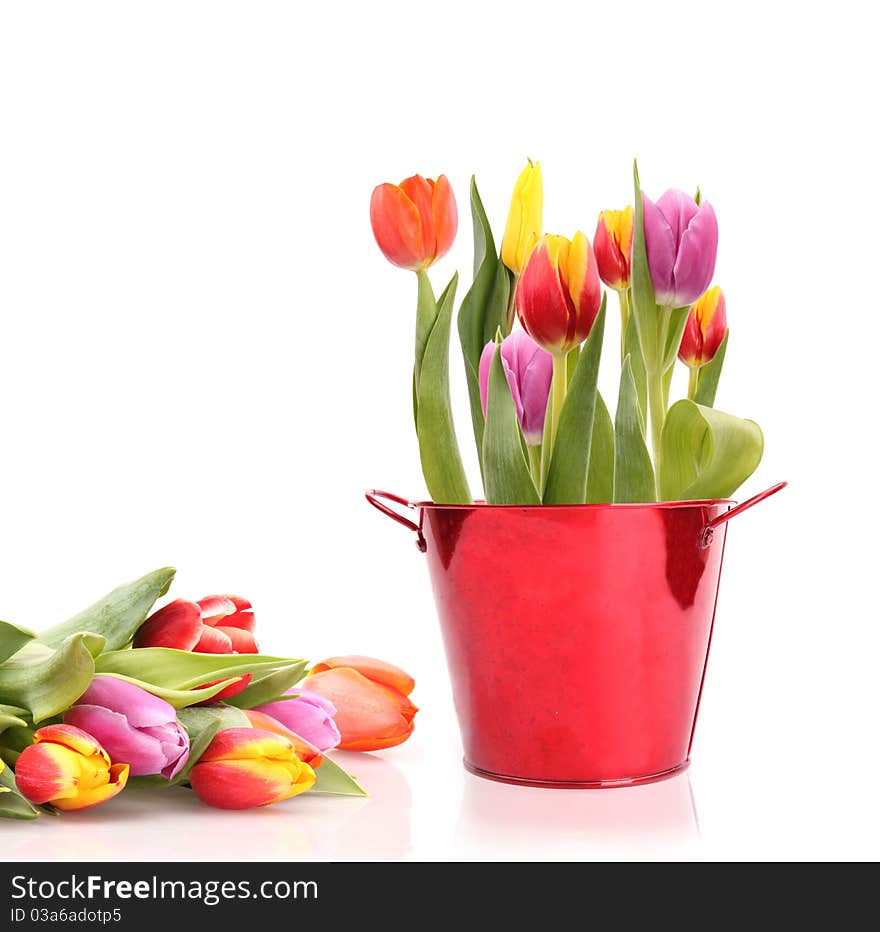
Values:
[(118, 615)]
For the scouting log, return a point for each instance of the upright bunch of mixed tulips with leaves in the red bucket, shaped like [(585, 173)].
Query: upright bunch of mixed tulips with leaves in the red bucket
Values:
[(543, 431)]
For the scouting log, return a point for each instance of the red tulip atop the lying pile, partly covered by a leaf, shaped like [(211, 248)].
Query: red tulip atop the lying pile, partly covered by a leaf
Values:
[(216, 624)]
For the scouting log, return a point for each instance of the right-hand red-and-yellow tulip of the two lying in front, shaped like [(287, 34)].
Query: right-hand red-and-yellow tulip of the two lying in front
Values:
[(246, 767)]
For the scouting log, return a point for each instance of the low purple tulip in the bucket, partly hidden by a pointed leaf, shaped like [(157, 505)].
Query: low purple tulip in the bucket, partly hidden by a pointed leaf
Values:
[(529, 371)]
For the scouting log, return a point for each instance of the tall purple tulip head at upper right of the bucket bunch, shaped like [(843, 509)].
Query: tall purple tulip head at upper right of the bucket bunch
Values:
[(681, 239)]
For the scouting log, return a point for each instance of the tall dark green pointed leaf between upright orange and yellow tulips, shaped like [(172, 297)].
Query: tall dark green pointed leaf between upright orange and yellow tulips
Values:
[(483, 309)]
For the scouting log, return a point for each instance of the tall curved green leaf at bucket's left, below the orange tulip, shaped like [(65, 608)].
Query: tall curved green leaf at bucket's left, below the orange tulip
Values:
[(438, 445)]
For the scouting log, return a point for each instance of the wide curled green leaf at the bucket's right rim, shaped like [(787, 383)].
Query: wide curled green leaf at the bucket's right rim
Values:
[(707, 453)]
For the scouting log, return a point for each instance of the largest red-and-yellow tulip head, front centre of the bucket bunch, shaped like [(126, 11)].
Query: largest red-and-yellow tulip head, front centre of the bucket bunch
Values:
[(558, 295)]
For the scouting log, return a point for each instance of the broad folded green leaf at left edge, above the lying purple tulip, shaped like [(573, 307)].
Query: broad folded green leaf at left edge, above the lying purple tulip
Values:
[(45, 681)]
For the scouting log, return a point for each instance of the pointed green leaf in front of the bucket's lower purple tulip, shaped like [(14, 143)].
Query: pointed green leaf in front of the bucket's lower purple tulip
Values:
[(505, 468)]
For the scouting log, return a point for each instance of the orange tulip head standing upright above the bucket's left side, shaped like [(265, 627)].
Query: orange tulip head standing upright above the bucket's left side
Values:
[(415, 222)]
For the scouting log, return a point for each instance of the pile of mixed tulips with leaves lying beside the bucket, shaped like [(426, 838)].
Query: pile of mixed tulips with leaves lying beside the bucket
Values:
[(114, 698)]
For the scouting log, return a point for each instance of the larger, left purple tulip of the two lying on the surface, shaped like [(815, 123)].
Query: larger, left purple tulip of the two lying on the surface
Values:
[(134, 726)]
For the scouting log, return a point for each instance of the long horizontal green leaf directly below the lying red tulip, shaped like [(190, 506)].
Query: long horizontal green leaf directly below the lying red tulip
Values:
[(180, 669)]
